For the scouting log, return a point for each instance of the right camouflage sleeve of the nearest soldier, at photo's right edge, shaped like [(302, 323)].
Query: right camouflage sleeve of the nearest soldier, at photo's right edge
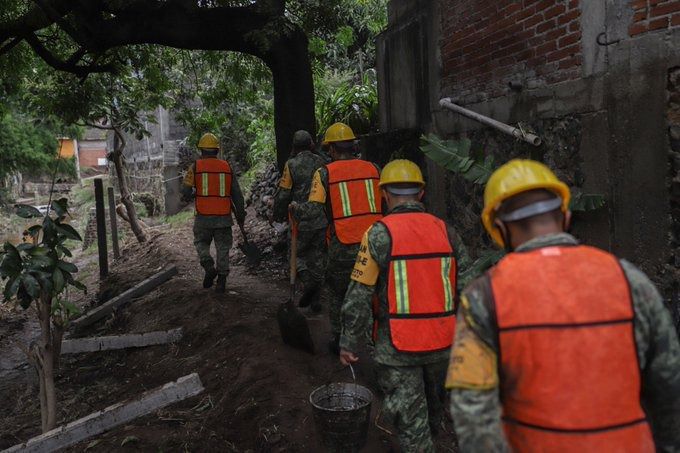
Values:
[(659, 354)]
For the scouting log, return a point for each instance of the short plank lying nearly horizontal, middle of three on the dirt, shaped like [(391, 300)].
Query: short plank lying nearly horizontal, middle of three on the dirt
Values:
[(113, 342)]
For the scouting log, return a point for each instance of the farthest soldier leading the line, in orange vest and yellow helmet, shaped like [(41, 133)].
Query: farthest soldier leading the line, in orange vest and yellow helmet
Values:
[(209, 224)]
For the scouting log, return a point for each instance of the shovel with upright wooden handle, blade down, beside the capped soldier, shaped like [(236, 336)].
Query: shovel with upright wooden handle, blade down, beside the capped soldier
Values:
[(293, 324)]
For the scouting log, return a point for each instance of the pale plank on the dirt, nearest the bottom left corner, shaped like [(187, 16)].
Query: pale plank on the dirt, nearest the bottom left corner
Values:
[(118, 414)]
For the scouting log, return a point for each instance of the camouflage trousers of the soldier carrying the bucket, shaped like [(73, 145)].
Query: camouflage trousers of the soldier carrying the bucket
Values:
[(414, 402)]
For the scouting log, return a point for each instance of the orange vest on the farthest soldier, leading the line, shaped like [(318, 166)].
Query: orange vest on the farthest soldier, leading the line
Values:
[(213, 187)]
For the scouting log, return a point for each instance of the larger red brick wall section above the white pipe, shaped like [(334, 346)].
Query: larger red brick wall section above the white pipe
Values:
[(486, 44)]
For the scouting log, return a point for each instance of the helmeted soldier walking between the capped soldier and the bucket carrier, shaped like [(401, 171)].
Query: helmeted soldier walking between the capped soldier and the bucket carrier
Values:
[(317, 216)]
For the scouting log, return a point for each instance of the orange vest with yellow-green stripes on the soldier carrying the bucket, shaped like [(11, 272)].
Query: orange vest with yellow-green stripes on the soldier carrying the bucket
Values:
[(421, 286)]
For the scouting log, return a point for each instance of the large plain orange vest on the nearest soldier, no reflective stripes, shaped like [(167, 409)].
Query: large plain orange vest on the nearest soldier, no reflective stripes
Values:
[(570, 377)]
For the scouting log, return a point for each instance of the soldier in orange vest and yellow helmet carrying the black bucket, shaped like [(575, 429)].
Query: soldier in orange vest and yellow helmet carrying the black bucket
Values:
[(412, 381)]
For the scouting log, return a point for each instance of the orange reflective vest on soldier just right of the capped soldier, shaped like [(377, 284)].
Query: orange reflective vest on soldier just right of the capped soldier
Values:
[(354, 198)]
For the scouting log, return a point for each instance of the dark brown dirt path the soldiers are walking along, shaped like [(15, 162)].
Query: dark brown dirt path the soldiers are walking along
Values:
[(257, 389)]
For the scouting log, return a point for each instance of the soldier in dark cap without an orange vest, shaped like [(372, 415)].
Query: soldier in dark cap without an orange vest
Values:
[(294, 189)]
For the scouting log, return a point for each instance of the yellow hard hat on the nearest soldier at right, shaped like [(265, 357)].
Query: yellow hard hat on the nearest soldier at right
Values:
[(517, 176)]
